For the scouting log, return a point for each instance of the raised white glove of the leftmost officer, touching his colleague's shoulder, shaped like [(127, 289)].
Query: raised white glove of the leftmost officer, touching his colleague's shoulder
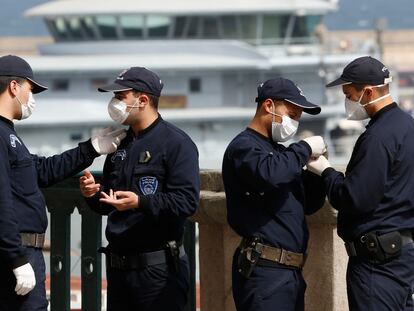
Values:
[(106, 141)]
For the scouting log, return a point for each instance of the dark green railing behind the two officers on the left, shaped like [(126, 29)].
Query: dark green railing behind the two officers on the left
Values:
[(62, 199)]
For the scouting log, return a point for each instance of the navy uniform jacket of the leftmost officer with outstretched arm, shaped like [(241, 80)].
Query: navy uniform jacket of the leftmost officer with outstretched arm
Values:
[(22, 205)]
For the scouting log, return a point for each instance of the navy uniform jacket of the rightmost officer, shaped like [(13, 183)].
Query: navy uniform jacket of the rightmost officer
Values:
[(377, 191)]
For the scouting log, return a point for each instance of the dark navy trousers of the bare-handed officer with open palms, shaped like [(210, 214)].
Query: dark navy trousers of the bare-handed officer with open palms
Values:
[(154, 288)]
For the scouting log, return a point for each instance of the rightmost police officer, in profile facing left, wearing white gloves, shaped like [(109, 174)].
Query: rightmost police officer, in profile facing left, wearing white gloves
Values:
[(375, 197)]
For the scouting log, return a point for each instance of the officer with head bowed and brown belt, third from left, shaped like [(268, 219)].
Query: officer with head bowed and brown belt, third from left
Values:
[(268, 194)]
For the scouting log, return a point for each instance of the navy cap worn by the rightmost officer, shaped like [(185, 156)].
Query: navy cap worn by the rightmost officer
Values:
[(364, 70)]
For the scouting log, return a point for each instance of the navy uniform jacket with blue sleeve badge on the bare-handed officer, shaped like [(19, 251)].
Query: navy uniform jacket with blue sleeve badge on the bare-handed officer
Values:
[(167, 185)]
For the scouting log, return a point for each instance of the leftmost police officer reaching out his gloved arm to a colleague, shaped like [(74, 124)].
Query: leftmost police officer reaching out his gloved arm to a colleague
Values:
[(23, 218)]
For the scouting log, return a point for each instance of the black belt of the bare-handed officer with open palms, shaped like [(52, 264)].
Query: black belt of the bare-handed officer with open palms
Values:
[(139, 260)]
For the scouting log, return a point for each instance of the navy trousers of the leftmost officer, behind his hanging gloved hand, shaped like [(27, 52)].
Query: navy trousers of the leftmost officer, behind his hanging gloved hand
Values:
[(35, 300)]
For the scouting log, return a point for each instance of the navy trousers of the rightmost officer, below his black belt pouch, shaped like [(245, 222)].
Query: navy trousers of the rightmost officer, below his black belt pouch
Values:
[(380, 287)]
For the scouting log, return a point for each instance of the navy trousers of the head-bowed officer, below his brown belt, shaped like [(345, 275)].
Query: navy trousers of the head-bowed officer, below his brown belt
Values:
[(268, 289)]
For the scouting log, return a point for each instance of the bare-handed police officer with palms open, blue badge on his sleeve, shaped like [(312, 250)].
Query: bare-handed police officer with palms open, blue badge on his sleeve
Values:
[(150, 186)]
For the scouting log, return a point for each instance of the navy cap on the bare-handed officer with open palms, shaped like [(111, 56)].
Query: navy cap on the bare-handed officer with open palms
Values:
[(135, 78)]
